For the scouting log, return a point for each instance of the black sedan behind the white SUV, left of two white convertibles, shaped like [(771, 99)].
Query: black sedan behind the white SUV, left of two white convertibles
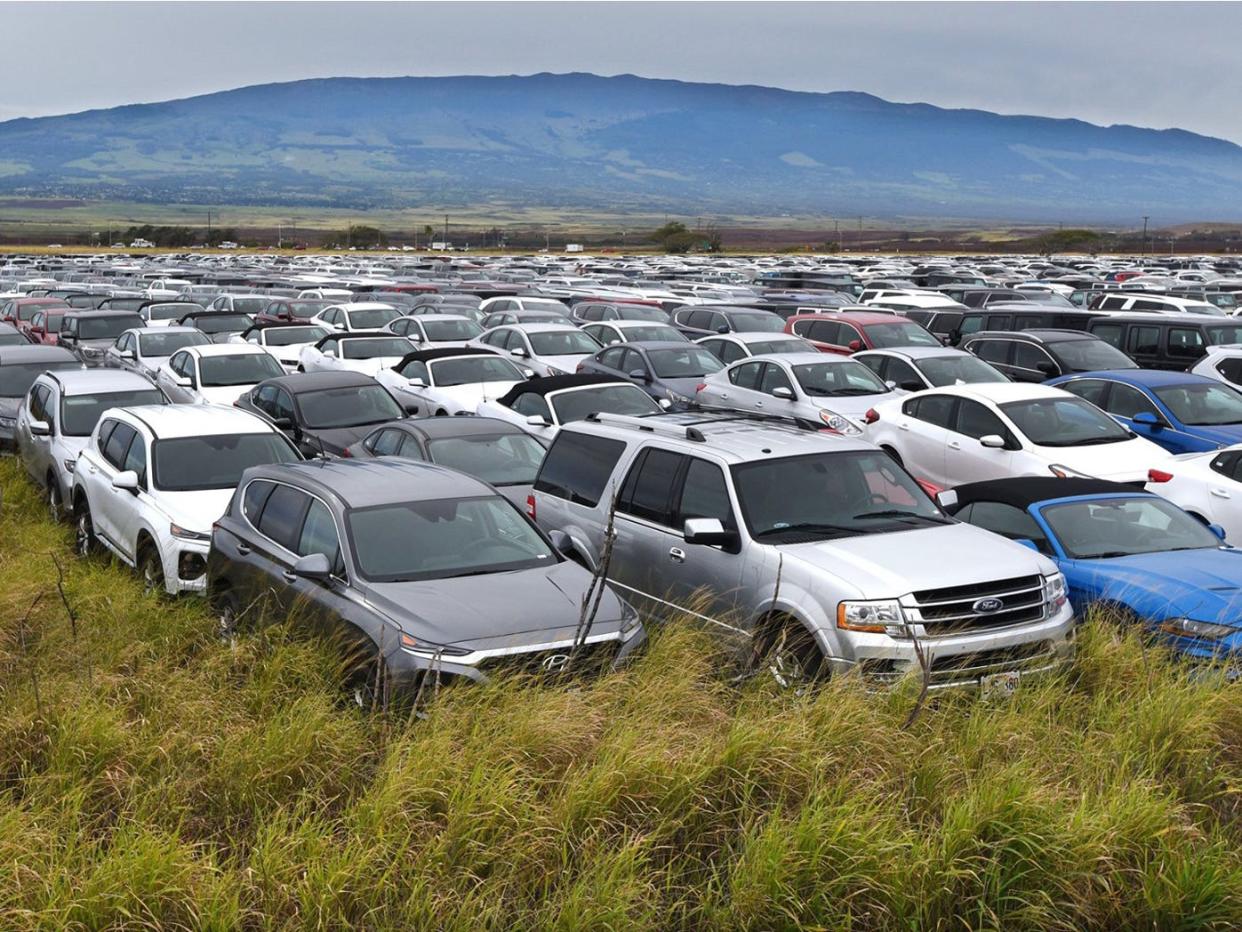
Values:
[(324, 413)]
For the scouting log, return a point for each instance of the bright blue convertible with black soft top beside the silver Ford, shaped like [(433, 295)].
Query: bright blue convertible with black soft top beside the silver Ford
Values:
[(1135, 552)]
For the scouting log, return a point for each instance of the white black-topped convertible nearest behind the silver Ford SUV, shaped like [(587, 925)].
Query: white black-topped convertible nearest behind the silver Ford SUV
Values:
[(542, 407)]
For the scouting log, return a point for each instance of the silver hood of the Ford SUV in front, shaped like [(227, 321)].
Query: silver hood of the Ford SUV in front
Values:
[(891, 565)]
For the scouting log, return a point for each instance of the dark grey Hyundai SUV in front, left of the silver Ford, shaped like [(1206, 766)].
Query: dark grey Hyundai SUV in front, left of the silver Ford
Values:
[(415, 570)]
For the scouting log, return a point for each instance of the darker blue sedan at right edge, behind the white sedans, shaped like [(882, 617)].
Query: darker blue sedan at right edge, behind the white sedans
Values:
[(1183, 413)]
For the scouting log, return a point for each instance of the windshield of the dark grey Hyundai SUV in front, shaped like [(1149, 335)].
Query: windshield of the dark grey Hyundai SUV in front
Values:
[(444, 539)]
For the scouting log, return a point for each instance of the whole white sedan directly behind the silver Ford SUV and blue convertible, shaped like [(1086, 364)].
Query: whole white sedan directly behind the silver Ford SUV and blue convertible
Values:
[(959, 434)]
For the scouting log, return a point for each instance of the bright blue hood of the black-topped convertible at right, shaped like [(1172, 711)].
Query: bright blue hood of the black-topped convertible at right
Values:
[(1202, 585)]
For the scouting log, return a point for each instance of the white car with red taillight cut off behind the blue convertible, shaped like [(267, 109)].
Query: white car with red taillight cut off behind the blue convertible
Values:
[(1208, 485)]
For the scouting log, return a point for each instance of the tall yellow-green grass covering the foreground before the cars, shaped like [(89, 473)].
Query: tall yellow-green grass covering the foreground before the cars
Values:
[(155, 776)]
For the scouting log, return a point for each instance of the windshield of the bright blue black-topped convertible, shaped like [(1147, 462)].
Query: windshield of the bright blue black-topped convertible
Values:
[(1122, 528)]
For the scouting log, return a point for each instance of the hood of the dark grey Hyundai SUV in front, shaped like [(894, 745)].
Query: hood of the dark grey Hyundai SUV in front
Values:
[(497, 611)]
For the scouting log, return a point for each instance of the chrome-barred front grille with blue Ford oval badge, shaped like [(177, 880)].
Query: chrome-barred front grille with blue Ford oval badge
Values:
[(994, 605)]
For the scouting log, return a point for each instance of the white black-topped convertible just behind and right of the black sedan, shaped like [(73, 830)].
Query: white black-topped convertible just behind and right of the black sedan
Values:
[(439, 382)]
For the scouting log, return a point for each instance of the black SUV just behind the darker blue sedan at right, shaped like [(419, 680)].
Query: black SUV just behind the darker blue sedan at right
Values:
[(1038, 356)]
